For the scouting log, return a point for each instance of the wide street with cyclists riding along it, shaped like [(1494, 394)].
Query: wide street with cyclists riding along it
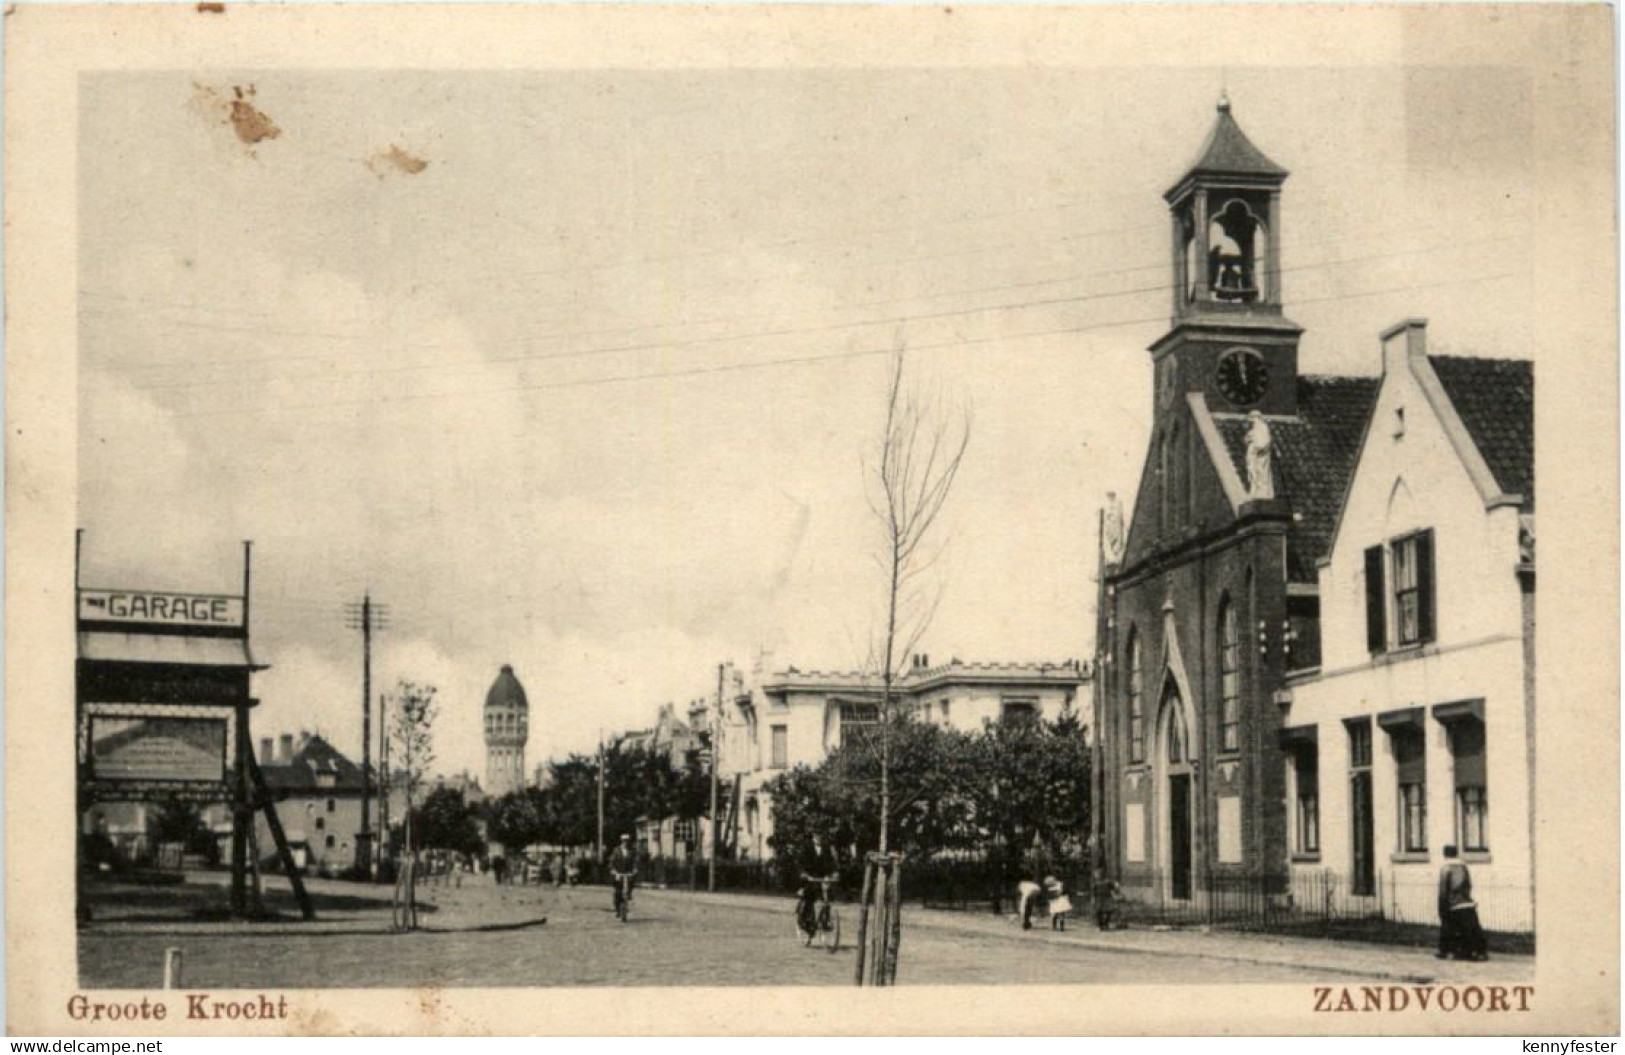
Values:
[(483, 936)]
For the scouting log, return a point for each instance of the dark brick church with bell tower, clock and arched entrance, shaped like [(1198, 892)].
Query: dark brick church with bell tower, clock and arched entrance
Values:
[(1211, 599)]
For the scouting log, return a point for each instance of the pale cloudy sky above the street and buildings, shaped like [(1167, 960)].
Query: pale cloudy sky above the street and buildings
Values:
[(584, 371)]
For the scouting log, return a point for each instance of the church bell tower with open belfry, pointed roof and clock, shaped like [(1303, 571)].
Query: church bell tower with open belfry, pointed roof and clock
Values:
[(1229, 339)]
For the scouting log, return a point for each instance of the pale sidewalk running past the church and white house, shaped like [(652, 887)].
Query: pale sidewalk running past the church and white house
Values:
[(1390, 963)]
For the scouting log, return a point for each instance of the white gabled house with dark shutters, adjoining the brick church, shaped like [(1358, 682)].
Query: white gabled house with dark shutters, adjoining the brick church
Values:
[(1416, 732)]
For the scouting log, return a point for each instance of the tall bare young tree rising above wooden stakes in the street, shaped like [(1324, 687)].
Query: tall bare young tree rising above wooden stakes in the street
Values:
[(922, 448)]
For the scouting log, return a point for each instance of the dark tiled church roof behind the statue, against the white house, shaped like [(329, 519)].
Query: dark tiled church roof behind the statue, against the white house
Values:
[(1314, 458)]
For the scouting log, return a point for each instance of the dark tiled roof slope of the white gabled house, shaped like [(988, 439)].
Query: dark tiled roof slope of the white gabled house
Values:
[(1496, 401)]
